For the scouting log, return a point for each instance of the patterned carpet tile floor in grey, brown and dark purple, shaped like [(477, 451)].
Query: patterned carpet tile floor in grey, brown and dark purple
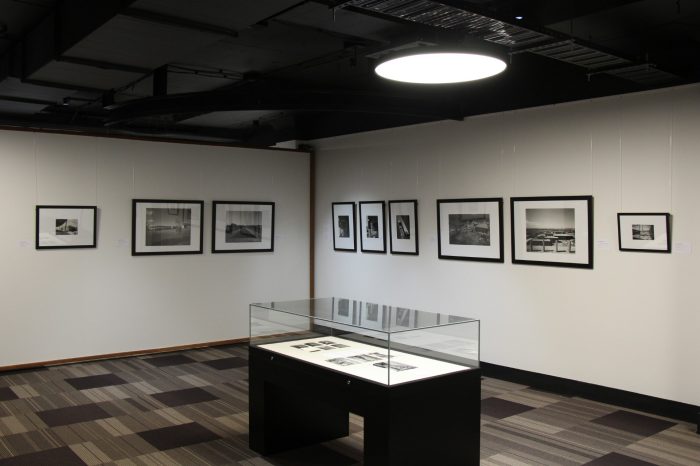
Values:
[(190, 408)]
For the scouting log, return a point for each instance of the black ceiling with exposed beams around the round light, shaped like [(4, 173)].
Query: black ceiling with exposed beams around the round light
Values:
[(257, 72)]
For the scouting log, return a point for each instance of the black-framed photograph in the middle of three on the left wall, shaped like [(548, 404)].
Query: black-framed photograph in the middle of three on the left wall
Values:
[(166, 227)]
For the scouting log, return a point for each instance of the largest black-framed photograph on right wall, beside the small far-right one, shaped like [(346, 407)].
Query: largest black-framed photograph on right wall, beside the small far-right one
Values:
[(555, 231)]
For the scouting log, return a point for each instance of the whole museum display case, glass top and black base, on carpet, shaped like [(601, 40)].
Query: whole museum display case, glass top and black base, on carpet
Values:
[(412, 375)]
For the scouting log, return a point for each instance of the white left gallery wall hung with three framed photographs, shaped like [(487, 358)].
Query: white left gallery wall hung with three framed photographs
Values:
[(59, 304)]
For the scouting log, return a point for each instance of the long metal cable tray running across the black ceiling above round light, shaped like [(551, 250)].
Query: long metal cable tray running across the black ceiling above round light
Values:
[(517, 38)]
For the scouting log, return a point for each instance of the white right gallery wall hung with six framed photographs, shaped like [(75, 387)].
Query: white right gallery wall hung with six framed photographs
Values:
[(632, 323)]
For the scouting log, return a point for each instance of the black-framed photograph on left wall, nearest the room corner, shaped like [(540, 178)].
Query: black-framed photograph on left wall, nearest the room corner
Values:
[(242, 226)]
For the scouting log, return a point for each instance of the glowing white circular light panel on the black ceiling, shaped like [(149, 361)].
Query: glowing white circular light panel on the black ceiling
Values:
[(440, 68)]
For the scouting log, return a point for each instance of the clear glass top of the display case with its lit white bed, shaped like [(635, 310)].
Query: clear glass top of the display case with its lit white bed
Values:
[(384, 344)]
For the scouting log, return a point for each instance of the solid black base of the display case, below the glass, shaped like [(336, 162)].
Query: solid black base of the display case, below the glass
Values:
[(430, 421)]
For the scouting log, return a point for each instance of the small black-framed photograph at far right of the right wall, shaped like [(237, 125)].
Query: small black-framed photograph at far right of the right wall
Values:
[(644, 232)]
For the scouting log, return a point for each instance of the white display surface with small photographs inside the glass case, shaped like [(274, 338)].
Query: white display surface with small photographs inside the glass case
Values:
[(369, 362)]
